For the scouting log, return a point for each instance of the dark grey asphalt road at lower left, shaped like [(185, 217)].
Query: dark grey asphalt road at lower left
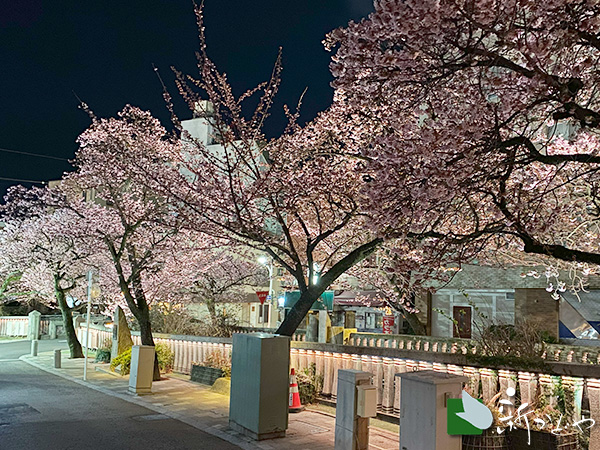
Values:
[(39, 411)]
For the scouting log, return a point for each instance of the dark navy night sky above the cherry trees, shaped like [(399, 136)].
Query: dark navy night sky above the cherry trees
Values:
[(104, 52)]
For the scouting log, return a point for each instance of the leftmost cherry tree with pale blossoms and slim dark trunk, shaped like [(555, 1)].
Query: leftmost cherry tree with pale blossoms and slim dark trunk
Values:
[(51, 251)]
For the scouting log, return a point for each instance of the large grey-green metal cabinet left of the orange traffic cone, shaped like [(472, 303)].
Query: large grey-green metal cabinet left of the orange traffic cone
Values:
[(259, 385)]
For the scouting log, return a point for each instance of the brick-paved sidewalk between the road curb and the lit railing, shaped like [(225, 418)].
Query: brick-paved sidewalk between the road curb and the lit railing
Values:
[(200, 407)]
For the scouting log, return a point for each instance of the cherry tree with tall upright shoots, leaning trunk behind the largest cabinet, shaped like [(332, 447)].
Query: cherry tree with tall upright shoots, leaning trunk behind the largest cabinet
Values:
[(290, 197)]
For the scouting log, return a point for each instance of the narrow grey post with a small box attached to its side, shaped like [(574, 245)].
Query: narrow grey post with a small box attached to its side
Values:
[(351, 431)]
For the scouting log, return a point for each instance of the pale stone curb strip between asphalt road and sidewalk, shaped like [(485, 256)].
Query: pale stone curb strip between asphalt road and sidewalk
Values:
[(212, 430)]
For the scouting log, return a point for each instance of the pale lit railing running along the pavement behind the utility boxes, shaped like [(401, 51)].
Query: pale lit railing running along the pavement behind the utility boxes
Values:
[(327, 362)]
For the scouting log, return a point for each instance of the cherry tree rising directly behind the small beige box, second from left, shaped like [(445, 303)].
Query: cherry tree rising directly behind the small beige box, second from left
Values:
[(135, 225)]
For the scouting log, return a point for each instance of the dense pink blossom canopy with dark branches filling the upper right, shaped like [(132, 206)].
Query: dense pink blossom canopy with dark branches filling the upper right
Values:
[(485, 118)]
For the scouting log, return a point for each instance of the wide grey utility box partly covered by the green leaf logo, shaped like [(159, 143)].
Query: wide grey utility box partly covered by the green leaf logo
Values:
[(423, 412)]
